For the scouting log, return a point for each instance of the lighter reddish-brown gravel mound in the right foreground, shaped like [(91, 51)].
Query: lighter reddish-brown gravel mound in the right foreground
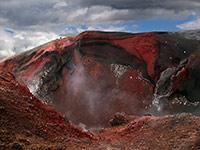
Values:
[(167, 132)]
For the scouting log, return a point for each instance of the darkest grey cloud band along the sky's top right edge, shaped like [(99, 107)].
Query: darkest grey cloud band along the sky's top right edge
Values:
[(144, 4)]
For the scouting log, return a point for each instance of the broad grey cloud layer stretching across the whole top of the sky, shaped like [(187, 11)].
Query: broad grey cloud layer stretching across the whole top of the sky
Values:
[(26, 13)]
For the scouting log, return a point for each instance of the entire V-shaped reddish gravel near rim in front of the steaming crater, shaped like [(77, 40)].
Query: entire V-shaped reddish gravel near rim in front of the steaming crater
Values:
[(26, 123)]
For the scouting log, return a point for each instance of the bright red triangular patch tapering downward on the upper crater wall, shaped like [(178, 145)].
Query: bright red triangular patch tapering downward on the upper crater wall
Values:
[(144, 46)]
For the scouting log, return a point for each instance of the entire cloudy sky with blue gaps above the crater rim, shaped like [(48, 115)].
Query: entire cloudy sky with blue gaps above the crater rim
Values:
[(25, 24)]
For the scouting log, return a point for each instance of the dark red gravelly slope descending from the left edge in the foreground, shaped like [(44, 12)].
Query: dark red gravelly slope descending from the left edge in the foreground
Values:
[(28, 123)]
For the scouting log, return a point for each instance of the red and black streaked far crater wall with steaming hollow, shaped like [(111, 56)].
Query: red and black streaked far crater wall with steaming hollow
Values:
[(92, 76)]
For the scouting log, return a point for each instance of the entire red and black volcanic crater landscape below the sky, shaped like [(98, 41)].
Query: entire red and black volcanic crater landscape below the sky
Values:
[(52, 95)]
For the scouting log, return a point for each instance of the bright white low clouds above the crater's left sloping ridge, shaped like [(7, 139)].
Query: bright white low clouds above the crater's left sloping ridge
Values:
[(20, 41)]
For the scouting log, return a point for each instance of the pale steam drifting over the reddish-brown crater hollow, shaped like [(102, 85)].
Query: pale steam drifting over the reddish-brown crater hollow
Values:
[(91, 104)]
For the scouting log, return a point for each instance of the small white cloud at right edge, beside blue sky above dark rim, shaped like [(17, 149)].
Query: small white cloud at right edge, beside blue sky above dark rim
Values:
[(194, 24)]
